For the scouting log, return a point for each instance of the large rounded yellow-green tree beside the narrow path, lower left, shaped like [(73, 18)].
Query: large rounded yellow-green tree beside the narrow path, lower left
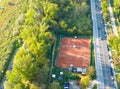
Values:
[(24, 64)]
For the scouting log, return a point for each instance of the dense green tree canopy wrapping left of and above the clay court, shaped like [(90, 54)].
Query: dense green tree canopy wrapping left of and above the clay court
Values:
[(34, 30)]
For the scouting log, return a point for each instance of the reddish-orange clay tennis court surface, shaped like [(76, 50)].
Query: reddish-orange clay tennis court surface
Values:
[(74, 51)]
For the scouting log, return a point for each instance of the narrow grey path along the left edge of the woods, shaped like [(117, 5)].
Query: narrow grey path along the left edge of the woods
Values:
[(9, 69)]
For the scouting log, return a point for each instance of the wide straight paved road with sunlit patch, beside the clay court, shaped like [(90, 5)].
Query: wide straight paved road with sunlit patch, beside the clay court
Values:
[(102, 61)]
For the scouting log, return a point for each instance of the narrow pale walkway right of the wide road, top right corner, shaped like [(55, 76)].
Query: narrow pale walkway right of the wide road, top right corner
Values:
[(112, 19)]
